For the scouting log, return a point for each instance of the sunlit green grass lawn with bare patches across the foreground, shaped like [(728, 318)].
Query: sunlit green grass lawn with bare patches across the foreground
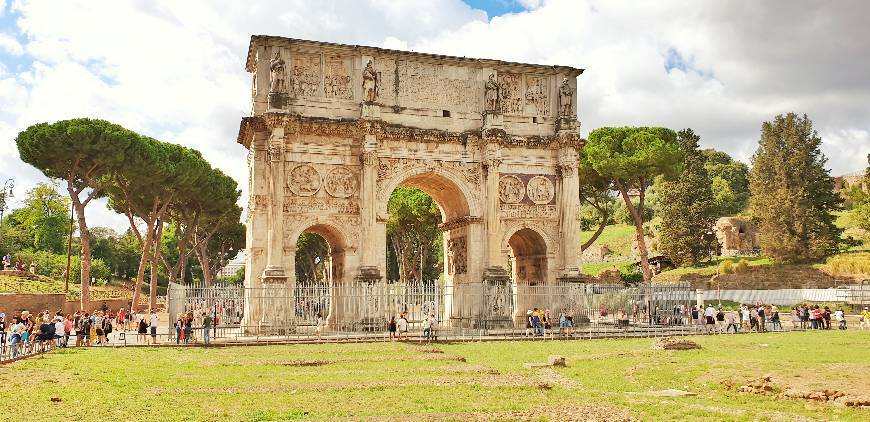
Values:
[(462, 381)]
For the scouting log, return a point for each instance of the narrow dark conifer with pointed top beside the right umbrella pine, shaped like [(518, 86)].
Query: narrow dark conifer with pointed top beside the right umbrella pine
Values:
[(686, 208)]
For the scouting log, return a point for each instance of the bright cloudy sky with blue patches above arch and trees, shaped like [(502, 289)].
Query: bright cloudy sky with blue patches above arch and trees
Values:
[(174, 70)]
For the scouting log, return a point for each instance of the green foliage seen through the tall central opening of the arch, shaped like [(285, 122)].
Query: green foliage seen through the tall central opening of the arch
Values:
[(413, 238)]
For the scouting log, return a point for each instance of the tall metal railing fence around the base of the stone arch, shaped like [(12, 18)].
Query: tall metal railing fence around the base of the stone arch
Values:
[(488, 309)]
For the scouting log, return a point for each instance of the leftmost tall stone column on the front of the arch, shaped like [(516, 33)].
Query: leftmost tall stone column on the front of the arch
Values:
[(274, 272)]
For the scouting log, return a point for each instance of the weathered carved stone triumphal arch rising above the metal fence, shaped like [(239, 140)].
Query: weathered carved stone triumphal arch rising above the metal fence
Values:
[(334, 129)]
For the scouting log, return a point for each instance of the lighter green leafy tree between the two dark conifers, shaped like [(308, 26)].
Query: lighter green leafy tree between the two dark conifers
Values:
[(730, 182)]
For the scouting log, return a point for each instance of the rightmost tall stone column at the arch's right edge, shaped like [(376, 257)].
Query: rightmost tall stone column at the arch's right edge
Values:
[(569, 206)]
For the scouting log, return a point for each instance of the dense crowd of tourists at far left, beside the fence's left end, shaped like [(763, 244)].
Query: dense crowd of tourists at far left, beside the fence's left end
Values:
[(27, 333)]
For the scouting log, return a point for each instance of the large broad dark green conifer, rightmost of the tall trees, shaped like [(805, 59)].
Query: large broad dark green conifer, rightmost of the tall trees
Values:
[(792, 193)]
